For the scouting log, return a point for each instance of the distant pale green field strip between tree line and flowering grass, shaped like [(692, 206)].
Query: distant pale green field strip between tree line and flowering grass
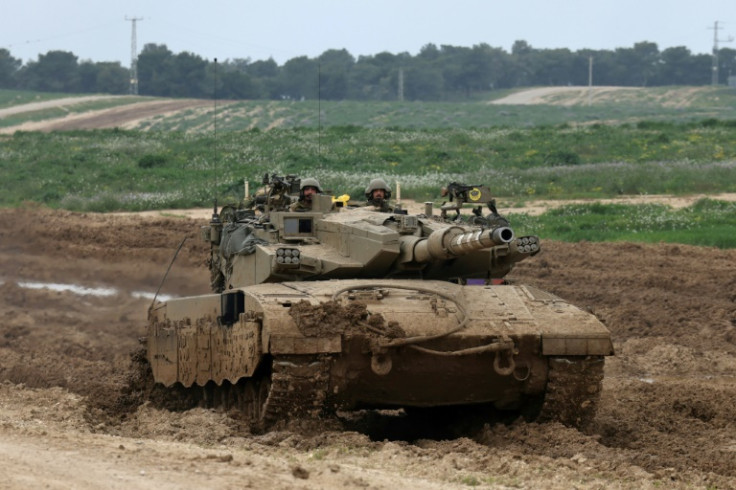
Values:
[(247, 115)]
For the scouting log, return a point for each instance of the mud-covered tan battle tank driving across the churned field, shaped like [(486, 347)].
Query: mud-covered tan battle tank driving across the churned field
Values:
[(343, 307)]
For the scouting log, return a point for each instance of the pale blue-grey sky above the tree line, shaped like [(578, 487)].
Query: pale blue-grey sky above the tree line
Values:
[(101, 30)]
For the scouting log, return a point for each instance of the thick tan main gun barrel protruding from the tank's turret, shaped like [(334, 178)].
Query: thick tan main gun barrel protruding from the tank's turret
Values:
[(454, 241)]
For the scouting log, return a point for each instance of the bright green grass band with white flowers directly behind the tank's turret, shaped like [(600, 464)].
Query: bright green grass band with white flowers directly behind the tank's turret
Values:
[(108, 170)]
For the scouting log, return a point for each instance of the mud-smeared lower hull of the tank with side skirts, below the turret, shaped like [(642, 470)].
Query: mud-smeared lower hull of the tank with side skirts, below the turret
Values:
[(318, 346)]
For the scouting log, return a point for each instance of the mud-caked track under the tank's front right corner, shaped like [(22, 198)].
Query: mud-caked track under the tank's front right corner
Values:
[(573, 390)]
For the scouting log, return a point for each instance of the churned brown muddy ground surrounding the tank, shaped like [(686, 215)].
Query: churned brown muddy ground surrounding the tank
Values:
[(667, 417)]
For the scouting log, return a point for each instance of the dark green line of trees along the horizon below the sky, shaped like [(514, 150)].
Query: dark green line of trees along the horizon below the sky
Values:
[(436, 73)]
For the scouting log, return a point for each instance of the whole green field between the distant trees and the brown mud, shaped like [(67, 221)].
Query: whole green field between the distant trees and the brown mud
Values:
[(648, 150)]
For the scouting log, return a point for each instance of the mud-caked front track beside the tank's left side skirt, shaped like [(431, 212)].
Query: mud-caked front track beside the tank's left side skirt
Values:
[(299, 386)]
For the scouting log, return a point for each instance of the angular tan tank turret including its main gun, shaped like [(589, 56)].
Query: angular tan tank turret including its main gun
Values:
[(326, 243)]
